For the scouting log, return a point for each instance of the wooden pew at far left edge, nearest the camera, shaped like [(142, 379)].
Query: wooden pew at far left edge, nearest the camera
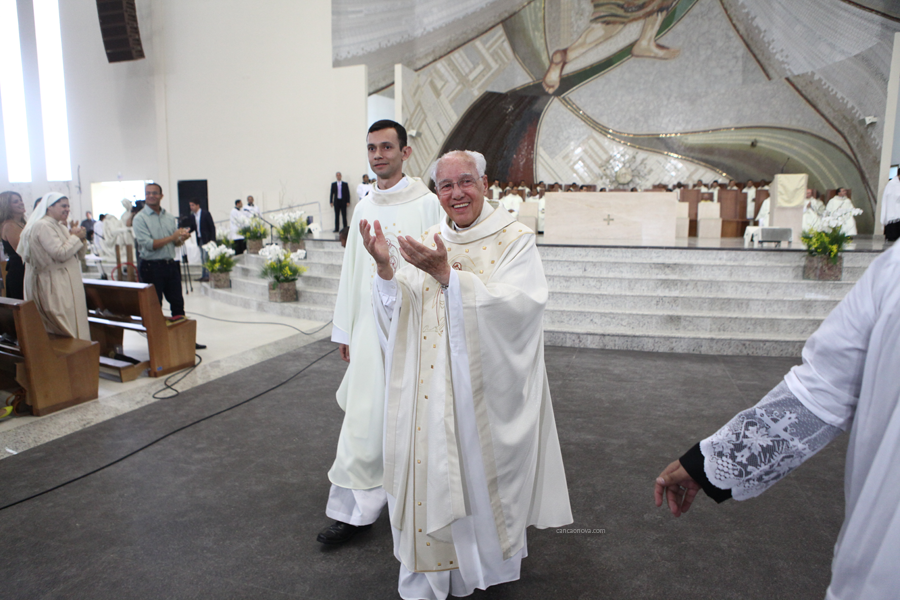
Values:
[(56, 371)]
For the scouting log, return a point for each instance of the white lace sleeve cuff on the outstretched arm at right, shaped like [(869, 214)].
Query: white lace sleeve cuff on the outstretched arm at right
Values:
[(761, 445)]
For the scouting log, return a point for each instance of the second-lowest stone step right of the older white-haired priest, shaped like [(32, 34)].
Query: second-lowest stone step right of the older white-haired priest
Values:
[(666, 323)]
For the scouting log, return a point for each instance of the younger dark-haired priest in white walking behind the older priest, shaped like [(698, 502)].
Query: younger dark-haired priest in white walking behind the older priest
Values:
[(406, 206)]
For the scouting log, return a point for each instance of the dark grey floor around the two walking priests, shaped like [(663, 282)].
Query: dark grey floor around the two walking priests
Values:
[(229, 508)]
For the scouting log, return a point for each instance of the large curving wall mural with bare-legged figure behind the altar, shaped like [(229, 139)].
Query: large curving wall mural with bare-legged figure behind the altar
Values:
[(652, 91)]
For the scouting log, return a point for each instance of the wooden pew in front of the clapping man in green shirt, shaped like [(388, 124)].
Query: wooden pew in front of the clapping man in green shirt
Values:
[(116, 306)]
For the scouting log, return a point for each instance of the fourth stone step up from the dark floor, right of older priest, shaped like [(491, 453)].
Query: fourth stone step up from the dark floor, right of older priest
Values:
[(814, 290)]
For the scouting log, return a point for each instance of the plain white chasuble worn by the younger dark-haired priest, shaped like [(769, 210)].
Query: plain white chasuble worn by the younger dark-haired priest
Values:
[(409, 211)]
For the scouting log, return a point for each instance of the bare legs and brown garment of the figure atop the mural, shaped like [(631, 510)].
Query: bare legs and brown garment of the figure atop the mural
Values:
[(607, 20)]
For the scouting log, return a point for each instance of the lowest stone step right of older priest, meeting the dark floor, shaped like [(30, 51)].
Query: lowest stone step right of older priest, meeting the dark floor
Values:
[(716, 344)]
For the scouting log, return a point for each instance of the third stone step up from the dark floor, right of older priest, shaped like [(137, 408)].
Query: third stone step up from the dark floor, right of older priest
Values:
[(686, 305)]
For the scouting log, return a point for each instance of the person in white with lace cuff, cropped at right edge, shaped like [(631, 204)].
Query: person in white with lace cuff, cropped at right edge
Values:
[(849, 380)]
